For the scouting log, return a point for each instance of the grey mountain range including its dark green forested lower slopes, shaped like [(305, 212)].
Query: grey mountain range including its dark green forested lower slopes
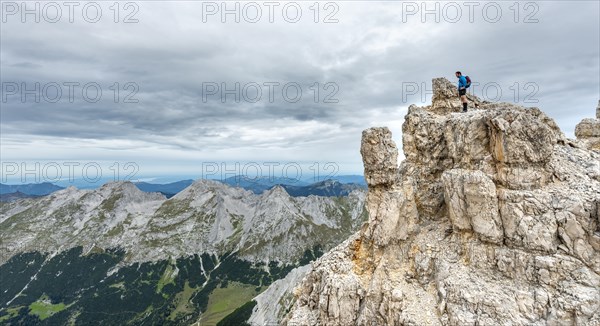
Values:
[(117, 255)]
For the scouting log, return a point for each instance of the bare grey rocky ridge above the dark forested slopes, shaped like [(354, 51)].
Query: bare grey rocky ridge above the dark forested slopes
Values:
[(206, 217)]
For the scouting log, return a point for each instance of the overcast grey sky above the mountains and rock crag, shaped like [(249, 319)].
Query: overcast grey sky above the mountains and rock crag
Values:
[(180, 62)]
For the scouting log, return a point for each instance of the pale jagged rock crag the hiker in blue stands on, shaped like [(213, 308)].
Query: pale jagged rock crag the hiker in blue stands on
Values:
[(493, 218)]
